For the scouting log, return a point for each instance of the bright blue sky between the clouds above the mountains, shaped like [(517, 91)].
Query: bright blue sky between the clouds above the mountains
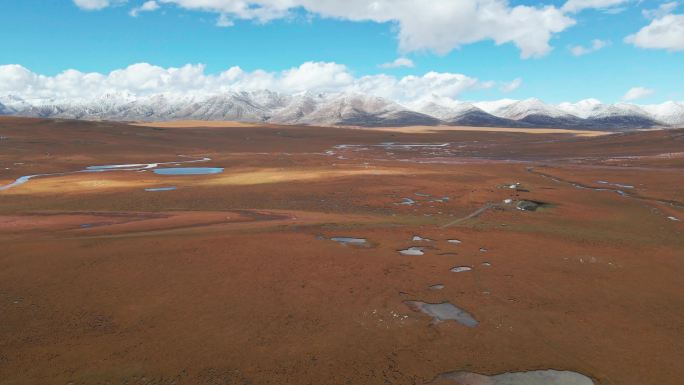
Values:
[(48, 37)]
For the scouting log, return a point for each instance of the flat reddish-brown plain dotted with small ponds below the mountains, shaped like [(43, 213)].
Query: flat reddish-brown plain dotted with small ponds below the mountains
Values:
[(284, 266)]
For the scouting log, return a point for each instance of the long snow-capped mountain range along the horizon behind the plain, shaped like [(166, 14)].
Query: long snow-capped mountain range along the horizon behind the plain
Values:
[(350, 109)]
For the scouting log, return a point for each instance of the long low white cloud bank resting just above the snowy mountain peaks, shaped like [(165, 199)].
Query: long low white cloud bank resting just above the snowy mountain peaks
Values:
[(145, 79)]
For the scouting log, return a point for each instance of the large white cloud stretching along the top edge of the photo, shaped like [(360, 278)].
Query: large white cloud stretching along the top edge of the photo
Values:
[(441, 26)]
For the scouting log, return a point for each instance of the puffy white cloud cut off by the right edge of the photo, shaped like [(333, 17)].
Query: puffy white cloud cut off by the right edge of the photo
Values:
[(666, 32)]
